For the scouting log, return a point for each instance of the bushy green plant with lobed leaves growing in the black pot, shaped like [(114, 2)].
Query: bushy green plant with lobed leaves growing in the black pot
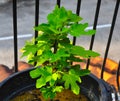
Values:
[(55, 53)]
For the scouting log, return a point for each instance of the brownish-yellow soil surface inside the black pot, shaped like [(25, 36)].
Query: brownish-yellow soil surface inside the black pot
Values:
[(35, 95)]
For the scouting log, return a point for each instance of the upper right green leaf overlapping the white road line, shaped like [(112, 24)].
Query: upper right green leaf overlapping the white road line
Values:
[(80, 29)]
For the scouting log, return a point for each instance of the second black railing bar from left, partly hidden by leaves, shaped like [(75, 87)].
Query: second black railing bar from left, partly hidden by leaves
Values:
[(36, 21)]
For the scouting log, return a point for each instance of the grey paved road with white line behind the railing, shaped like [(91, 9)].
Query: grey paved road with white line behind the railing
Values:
[(26, 22)]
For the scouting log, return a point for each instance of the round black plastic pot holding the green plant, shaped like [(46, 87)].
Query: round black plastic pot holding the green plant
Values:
[(95, 89)]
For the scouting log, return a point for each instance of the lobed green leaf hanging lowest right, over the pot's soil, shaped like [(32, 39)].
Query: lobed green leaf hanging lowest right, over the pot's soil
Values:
[(71, 81)]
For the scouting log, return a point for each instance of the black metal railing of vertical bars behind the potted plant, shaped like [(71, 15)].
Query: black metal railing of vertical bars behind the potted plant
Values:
[(78, 6)]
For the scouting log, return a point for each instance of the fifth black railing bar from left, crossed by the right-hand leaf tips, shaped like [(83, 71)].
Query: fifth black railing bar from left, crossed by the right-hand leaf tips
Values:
[(94, 27)]
